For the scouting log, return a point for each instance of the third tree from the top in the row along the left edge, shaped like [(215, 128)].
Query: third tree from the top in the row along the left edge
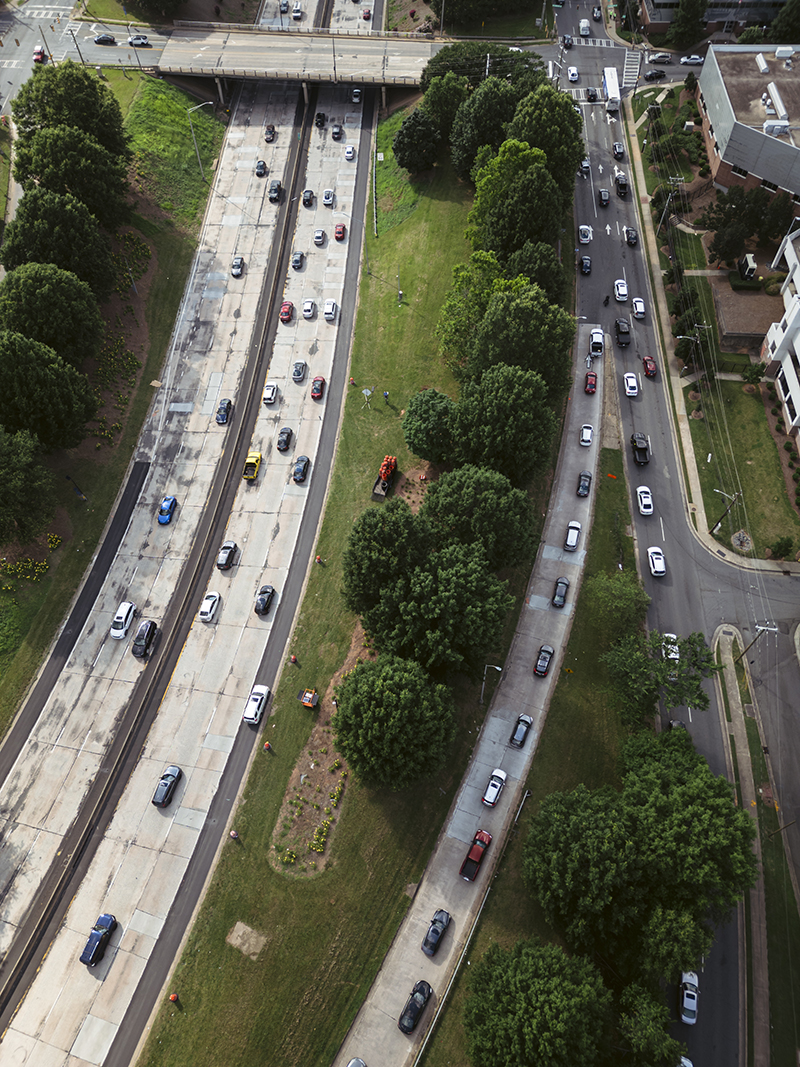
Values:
[(50, 229)]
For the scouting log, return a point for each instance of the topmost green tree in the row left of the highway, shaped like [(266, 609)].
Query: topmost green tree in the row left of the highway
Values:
[(71, 94)]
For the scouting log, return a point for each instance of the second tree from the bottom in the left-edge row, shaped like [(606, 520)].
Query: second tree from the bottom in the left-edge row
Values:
[(51, 399)]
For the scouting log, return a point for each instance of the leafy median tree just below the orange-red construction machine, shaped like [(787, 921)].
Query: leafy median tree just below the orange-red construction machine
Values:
[(383, 546)]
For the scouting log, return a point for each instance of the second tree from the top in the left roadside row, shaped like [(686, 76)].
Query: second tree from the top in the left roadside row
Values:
[(68, 161)]
